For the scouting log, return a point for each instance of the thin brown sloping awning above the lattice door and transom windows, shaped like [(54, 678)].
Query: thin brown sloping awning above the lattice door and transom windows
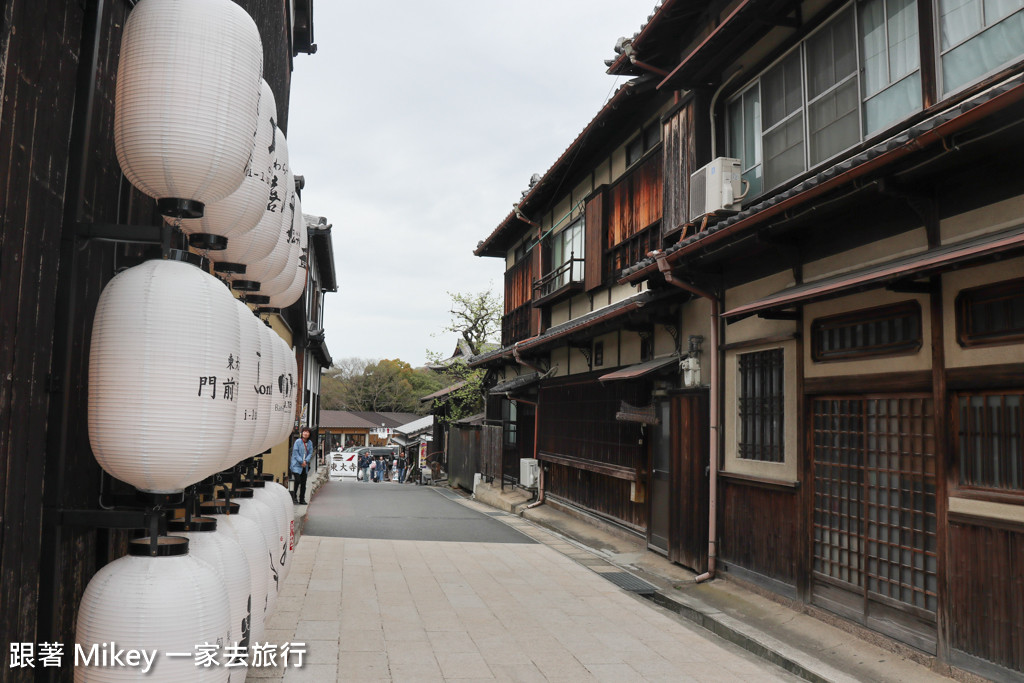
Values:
[(907, 268)]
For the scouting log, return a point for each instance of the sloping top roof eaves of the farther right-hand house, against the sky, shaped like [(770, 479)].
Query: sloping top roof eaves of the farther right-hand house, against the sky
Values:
[(627, 101)]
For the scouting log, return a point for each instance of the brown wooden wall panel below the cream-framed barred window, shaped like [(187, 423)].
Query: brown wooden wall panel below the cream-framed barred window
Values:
[(760, 530)]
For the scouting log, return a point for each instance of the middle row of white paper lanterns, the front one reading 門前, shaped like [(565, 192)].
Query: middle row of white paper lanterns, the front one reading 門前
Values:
[(184, 380)]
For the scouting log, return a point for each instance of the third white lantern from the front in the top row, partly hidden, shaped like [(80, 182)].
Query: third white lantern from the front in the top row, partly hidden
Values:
[(259, 243)]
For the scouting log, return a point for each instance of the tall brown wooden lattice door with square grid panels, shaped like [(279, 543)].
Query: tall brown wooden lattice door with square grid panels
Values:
[(875, 513)]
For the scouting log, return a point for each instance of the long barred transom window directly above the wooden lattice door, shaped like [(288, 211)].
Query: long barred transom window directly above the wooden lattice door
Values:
[(875, 332)]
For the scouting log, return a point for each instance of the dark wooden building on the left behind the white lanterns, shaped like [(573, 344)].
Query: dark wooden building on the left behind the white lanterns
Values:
[(63, 189)]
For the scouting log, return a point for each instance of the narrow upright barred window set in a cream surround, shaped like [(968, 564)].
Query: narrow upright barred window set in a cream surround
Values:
[(761, 399)]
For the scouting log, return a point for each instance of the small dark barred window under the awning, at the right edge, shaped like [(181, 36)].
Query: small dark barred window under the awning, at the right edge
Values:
[(992, 315)]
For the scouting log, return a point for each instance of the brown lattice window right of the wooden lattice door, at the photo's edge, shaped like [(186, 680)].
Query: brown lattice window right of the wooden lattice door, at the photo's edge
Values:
[(991, 453)]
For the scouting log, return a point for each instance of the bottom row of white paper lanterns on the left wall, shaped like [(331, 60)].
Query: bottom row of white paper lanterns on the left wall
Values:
[(223, 591)]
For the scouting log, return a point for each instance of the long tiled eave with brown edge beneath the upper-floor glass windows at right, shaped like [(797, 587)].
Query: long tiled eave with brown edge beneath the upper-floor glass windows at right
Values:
[(931, 132)]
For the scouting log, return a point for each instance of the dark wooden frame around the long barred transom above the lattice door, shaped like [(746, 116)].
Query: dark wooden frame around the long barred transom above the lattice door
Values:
[(865, 317)]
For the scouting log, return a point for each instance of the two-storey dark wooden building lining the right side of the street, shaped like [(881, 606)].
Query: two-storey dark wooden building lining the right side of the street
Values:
[(861, 300)]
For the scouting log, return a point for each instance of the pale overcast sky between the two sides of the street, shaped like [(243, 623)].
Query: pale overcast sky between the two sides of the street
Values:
[(417, 125)]
